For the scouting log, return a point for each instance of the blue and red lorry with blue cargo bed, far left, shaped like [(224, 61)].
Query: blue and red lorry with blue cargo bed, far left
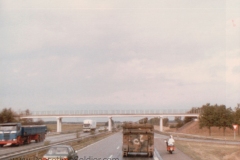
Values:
[(16, 134)]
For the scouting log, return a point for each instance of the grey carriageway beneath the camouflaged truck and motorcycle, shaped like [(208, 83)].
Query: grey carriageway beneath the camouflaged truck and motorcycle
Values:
[(110, 148)]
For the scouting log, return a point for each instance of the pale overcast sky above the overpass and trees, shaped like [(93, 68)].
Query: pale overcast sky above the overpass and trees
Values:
[(111, 54)]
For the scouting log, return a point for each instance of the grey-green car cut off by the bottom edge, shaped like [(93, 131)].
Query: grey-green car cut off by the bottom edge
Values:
[(63, 152)]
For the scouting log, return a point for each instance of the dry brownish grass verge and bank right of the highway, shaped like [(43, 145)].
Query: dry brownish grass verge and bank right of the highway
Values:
[(208, 151)]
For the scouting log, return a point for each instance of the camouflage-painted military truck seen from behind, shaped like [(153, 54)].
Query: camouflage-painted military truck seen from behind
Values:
[(138, 138)]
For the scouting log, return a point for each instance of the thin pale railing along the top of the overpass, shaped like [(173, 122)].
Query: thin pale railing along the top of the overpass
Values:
[(116, 112)]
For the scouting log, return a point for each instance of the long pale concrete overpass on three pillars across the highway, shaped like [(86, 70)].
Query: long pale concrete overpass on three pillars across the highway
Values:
[(59, 115)]
